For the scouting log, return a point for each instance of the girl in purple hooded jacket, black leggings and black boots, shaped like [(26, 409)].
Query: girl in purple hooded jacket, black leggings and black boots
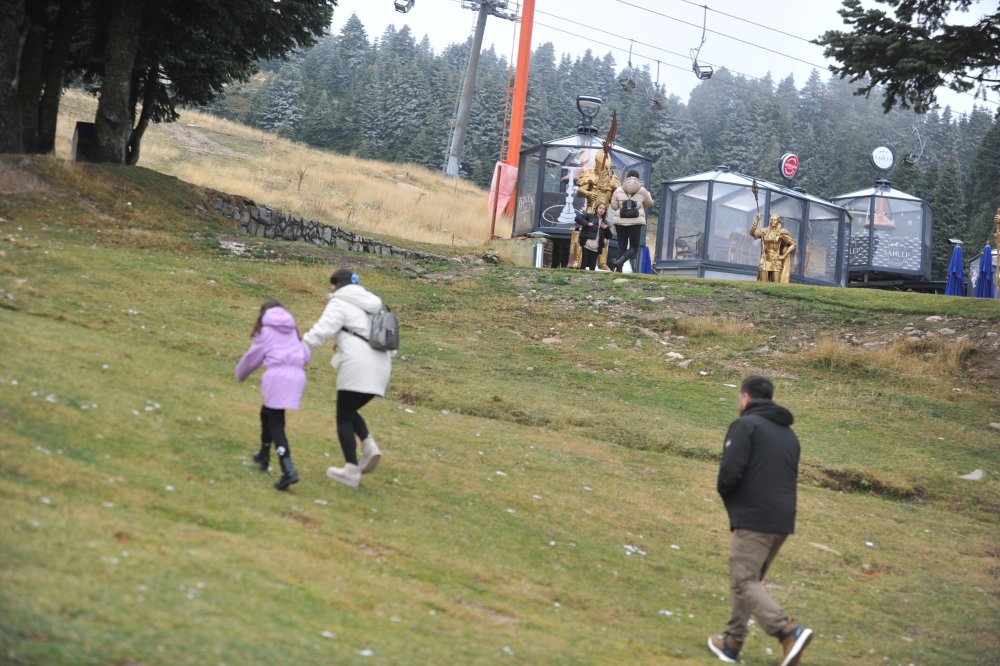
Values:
[(277, 346)]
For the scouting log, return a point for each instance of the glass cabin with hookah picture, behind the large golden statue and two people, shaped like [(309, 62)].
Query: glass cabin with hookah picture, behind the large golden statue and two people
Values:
[(546, 179)]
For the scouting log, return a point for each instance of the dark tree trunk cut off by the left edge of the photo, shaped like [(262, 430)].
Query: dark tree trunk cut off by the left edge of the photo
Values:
[(13, 27)]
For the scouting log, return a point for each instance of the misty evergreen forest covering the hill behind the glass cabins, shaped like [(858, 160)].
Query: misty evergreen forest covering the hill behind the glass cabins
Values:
[(392, 98)]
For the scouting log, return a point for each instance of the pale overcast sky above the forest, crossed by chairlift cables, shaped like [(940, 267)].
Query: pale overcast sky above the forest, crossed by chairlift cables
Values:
[(749, 38)]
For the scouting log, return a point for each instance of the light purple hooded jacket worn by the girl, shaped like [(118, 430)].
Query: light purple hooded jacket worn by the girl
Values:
[(277, 347)]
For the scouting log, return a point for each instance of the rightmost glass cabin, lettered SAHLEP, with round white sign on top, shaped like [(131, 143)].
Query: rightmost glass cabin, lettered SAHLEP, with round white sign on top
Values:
[(890, 234)]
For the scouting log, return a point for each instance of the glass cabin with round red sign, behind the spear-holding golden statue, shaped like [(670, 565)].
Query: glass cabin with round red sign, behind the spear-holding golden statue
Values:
[(705, 220)]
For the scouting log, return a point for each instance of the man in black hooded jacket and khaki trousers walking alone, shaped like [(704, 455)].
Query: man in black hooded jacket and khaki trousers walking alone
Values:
[(757, 482)]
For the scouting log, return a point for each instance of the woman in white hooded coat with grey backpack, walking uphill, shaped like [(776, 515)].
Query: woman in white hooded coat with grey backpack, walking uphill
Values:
[(362, 372)]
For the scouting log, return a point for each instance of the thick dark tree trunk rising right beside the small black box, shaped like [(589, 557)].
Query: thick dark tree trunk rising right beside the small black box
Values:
[(113, 121)]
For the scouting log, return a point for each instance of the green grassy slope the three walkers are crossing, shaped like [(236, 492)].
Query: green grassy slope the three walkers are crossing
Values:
[(535, 427)]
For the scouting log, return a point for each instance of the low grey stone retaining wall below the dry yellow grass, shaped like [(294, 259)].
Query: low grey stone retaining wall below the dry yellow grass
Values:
[(258, 220)]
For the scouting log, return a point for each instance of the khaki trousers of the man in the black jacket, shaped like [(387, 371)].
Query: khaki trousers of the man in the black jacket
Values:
[(750, 556)]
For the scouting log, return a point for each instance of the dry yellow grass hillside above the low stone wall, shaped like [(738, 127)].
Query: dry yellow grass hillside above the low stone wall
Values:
[(401, 200)]
